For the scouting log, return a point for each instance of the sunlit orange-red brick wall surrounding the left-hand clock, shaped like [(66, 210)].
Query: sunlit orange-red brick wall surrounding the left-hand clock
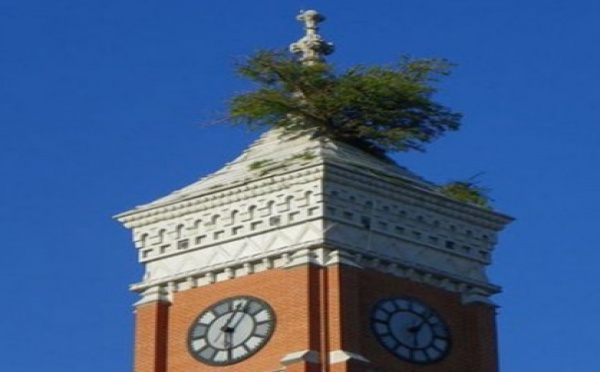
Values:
[(292, 293)]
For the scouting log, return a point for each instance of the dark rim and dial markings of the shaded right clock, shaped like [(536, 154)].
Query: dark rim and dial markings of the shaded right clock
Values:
[(420, 312)]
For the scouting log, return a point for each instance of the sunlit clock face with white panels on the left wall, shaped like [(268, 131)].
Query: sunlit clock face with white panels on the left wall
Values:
[(231, 330)]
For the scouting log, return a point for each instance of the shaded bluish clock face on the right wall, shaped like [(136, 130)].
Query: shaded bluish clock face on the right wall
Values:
[(410, 330)]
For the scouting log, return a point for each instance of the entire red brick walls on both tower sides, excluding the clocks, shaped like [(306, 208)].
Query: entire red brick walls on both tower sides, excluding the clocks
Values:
[(316, 309)]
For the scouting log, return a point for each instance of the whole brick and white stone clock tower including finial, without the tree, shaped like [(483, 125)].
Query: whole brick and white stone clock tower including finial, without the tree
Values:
[(307, 254)]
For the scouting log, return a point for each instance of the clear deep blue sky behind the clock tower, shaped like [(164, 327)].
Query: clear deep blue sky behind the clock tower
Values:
[(102, 106)]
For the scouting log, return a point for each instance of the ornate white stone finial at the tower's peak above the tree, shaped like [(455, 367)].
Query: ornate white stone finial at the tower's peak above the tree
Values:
[(312, 46)]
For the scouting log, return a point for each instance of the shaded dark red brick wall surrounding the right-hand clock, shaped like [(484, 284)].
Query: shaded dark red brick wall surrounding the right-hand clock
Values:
[(472, 326)]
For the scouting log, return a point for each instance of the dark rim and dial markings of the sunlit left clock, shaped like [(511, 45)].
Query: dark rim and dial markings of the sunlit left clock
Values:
[(210, 308)]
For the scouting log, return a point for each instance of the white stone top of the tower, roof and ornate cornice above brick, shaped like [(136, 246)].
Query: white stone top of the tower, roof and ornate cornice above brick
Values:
[(336, 206)]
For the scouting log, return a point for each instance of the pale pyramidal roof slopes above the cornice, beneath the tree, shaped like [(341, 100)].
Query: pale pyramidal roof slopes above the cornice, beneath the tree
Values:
[(278, 152)]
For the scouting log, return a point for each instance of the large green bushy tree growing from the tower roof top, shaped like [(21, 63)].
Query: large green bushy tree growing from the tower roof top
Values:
[(379, 109)]
